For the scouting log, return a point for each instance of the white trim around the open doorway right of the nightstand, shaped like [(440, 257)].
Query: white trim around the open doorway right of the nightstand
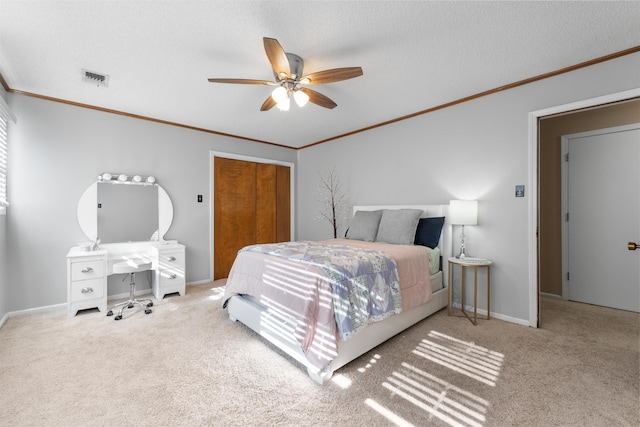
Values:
[(533, 200)]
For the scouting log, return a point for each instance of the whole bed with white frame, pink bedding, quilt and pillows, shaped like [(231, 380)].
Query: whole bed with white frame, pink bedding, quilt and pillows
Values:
[(294, 303)]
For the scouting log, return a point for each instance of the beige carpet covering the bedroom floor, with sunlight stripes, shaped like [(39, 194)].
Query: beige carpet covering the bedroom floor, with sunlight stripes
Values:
[(187, 364)]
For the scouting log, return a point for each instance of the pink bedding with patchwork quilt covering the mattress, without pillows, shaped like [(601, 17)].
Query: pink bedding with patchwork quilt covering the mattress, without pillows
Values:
[(300, 292)]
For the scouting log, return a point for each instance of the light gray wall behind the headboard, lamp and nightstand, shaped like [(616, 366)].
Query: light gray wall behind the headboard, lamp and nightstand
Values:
[(476, 150)]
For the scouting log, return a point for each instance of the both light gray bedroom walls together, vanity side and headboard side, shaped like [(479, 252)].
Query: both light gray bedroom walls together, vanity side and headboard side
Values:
[(478, 149)]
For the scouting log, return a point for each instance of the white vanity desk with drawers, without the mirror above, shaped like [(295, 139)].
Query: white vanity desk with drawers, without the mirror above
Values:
[(87, 271)]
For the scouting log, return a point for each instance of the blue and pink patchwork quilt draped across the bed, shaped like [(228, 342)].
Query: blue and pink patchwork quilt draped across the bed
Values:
[(364, 281)]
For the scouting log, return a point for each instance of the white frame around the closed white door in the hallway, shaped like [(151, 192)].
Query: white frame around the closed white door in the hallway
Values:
[(564, 193)]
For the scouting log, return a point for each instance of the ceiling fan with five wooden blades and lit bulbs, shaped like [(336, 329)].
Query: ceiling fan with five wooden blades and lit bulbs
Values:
[(287, 69)]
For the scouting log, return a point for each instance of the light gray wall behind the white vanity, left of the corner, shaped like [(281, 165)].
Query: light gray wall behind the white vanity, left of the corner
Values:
[(58, 150)]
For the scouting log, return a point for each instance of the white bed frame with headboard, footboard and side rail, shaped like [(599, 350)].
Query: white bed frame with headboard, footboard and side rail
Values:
[(253, 314)]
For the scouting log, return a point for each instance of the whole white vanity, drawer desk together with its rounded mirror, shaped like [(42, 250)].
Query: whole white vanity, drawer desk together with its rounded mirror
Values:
[(87, 270)]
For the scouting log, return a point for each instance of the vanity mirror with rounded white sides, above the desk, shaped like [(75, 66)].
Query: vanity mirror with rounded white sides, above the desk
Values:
[(117, 212)]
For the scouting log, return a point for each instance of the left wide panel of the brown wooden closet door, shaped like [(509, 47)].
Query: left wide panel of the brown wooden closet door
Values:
[(234, 214)]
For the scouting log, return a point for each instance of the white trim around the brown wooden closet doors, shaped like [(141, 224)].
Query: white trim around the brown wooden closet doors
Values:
[(292, 194)]
